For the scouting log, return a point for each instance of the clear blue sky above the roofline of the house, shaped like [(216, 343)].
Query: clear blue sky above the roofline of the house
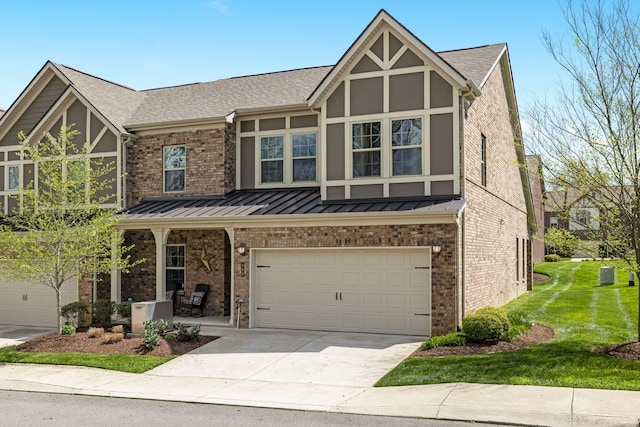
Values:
[(149, 44)]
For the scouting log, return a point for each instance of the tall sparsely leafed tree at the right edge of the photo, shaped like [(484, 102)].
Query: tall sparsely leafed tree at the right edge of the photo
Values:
[(589, 132)]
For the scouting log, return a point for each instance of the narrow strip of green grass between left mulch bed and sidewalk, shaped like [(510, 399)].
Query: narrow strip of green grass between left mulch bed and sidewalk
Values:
[(116, 362)]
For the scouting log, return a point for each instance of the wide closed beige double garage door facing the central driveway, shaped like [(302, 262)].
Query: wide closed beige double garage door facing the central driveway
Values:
[(360, 290)]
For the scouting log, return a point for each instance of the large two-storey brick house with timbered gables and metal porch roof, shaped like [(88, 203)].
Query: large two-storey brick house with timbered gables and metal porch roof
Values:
[(380, 194)]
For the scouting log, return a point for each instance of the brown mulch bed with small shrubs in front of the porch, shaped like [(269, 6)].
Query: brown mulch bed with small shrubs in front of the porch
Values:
[(81, 343)]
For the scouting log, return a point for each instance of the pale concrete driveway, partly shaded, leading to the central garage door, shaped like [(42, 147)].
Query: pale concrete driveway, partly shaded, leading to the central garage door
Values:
[(291, 356)]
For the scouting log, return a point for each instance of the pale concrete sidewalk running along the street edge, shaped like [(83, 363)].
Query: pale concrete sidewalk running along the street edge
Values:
[(520, 405)]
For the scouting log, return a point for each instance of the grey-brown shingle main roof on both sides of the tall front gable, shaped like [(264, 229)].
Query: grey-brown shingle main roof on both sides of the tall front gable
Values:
[(125, 107)]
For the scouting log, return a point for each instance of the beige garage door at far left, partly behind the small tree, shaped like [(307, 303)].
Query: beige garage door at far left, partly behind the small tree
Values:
[(29, 304)]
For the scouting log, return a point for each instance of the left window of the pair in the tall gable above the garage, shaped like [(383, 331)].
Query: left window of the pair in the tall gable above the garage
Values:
[(365, 142)]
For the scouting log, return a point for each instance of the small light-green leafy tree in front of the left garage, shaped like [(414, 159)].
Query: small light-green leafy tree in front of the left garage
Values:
[(62, 230)]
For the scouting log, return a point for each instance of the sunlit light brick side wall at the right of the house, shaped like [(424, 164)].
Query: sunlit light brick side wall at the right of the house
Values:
[(495, 219)]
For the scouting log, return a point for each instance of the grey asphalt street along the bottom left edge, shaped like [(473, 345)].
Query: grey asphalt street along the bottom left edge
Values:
[(52, 410)]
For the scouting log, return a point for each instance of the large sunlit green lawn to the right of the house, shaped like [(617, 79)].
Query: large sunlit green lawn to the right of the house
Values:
[(584, 315)]
